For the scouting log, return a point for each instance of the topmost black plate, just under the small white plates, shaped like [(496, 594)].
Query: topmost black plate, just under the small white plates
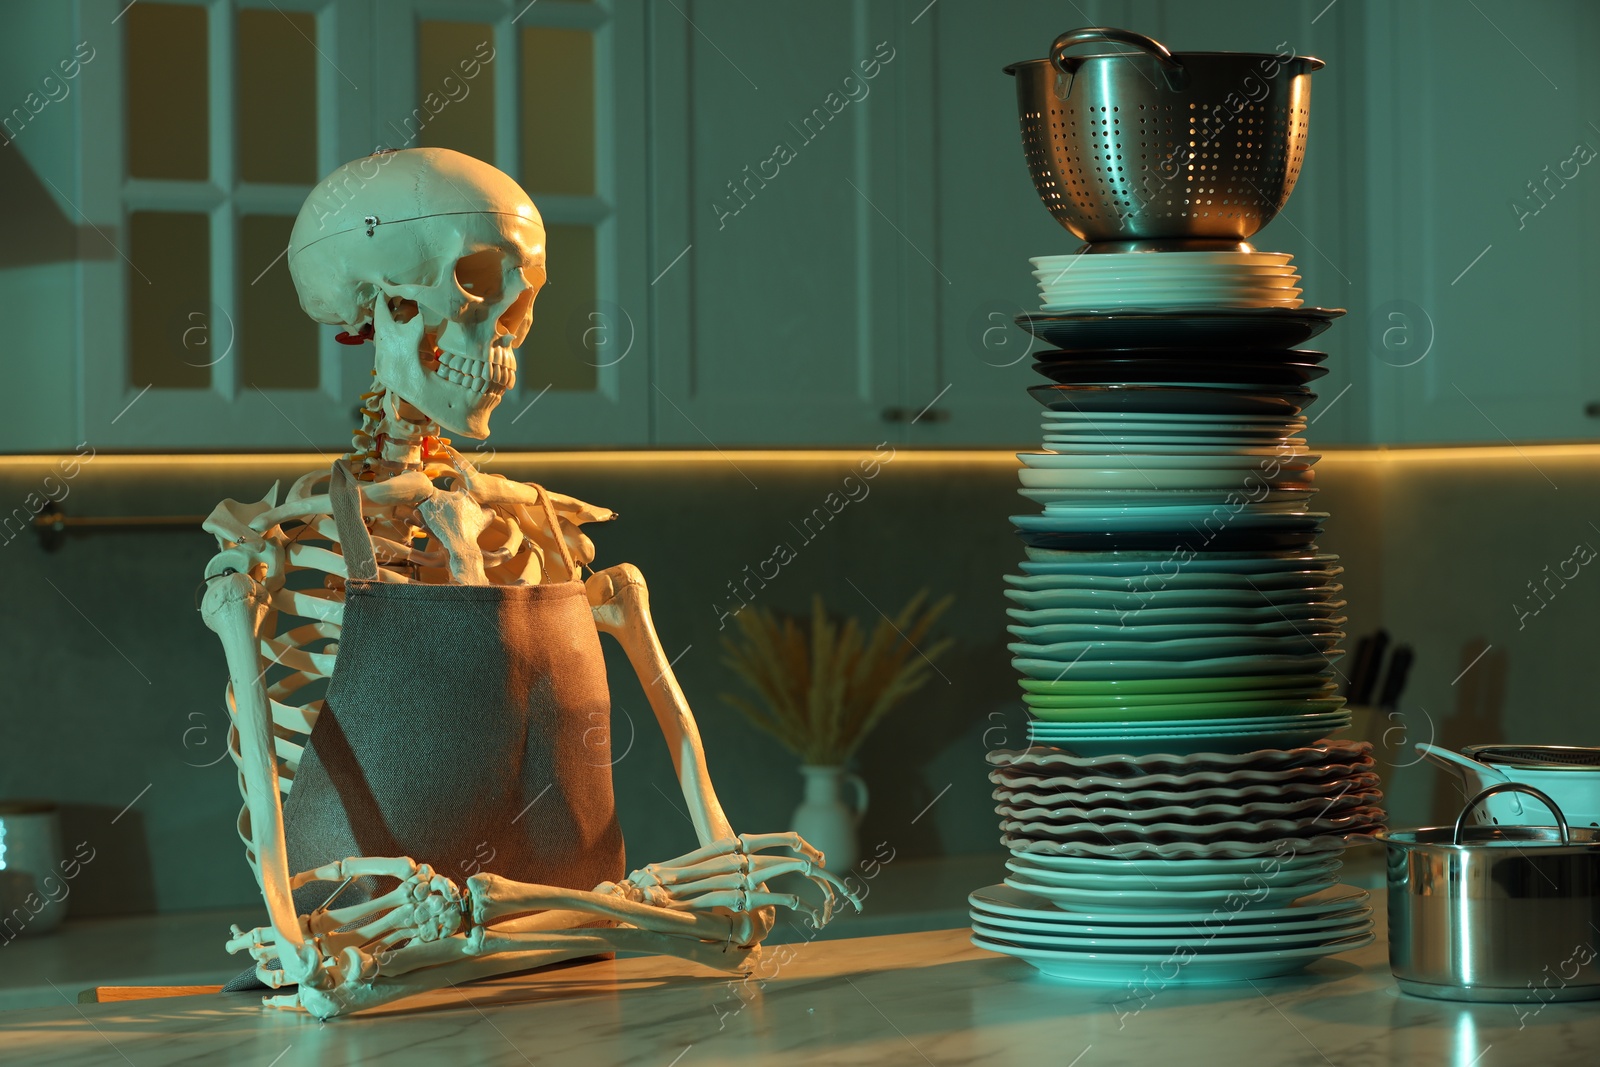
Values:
[(1231, 329)]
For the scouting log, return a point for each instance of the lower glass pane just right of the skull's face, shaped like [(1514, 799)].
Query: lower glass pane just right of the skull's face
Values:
[(574, 335)]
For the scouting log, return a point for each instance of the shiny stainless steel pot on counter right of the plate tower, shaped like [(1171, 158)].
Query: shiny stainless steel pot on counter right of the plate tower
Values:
[(1495, 913)]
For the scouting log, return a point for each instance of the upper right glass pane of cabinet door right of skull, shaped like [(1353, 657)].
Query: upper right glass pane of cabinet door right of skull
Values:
[(558, 111)]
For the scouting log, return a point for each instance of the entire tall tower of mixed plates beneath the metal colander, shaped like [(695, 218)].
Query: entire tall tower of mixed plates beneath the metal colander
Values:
[(1178, 815)]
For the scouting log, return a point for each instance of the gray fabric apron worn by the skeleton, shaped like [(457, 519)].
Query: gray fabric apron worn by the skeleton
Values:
[(466, 727)]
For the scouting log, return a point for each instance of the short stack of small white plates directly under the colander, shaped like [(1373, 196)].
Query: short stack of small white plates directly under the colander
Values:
[(1167, 281)]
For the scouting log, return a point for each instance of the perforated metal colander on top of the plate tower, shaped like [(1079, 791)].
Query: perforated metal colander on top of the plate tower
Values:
[(1162, 151)]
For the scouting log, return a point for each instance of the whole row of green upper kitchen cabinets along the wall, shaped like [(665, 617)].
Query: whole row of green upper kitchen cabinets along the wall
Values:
[(780, 225)]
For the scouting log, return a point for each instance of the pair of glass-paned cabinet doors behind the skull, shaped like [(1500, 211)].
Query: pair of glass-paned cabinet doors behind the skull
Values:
[(206, 127)]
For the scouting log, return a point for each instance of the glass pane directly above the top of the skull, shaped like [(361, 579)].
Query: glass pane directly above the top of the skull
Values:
[(455, 89)]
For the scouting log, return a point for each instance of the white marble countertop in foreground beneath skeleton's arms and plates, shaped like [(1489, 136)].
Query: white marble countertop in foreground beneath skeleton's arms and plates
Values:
[(898, 999)]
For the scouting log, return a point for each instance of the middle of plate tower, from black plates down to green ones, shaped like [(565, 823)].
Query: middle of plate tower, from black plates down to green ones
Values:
[(1174, 599)]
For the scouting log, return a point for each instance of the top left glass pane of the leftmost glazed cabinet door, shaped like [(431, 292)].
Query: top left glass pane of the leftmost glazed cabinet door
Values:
[(166, 70)]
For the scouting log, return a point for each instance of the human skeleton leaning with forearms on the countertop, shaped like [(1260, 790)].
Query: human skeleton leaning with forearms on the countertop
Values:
[(438, 260)]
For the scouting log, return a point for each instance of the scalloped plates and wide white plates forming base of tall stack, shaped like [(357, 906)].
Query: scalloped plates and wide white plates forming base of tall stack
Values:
[(1212, 868)]
